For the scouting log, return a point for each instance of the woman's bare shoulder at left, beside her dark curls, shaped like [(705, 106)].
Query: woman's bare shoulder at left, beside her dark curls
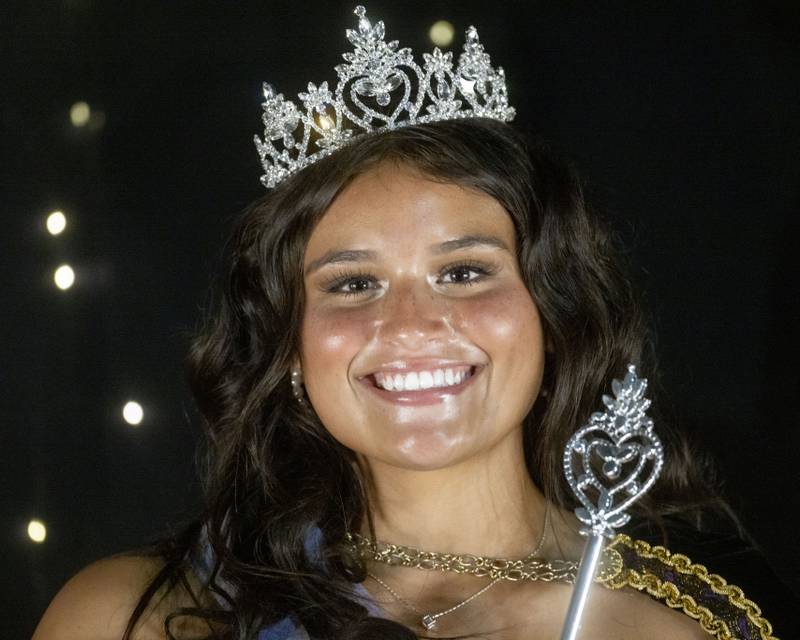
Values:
[(97, 602)]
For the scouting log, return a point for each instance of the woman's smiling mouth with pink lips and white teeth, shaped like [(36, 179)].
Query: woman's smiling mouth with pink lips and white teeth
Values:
[(421, 387)]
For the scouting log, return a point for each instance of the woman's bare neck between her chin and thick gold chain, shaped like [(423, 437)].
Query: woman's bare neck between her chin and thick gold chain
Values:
[(485, 505)]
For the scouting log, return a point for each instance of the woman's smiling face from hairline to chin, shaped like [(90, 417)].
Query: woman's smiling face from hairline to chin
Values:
[(414, 285)]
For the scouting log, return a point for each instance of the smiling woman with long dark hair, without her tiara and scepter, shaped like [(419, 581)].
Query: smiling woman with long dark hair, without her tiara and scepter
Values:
[(408, 332)]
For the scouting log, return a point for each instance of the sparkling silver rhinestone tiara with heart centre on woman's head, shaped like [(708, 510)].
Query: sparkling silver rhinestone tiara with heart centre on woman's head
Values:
[(375, 70)]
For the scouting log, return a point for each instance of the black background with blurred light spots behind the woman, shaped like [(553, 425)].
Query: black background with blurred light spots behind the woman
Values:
[(684, 116)]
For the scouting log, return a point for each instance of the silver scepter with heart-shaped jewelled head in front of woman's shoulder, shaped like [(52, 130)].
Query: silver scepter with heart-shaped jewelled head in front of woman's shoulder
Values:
[(609, 463)]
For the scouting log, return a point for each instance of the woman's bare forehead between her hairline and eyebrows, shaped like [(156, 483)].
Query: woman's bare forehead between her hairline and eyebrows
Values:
[(395, 207)]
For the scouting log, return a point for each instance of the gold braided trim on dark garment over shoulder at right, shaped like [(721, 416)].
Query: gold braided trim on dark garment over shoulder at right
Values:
[(671, 595)]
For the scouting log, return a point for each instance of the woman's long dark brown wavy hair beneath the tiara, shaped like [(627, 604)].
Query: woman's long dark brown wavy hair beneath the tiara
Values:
[(271, 472)]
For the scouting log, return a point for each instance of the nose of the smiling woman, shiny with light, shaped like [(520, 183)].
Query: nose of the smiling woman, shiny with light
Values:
[(412, 316)]
